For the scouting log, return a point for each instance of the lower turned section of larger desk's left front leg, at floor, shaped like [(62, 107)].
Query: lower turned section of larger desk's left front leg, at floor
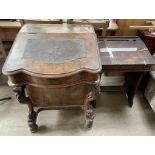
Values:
[(32, 121)]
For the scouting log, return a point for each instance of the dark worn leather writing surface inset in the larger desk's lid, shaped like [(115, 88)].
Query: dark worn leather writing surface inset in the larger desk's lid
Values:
[(54, 51)]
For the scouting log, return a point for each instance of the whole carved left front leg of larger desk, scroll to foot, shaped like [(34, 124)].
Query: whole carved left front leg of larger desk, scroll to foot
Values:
[(32, 116)]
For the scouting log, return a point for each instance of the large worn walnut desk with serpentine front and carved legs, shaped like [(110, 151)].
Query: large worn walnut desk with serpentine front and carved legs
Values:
[(55, 67)]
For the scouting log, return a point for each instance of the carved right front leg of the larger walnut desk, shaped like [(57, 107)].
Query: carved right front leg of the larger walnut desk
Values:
[(88, 108)]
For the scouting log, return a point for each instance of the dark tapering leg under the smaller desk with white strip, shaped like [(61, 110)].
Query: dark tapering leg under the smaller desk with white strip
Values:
[(132, 81)]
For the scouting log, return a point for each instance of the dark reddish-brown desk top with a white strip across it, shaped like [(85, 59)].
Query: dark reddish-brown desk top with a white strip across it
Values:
[(124, 54)]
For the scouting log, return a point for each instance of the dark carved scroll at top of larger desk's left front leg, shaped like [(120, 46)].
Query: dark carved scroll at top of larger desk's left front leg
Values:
[(20, 94)]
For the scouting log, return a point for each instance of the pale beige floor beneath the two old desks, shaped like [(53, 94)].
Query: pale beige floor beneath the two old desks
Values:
[(114, 117)]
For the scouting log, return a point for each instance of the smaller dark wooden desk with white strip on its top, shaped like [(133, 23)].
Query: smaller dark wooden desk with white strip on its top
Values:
[(126, 54)]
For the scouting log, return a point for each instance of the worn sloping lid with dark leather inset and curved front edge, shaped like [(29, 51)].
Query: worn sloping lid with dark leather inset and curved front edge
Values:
[(54, 51)]
